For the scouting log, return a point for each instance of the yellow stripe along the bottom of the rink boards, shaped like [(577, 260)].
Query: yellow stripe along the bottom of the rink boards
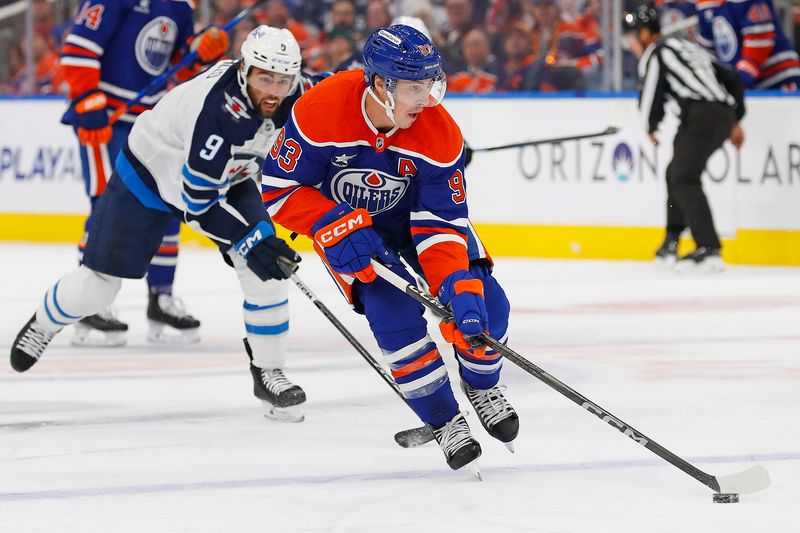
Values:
[(750, 247)]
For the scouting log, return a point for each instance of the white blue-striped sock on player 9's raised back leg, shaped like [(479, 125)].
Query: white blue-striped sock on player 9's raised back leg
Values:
[(80, 293)]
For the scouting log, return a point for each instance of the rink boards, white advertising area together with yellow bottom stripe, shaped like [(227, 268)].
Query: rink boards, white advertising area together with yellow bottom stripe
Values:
[(600, 198)]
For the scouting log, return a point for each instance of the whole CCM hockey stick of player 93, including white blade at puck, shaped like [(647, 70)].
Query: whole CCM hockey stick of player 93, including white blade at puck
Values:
[(754, 479)]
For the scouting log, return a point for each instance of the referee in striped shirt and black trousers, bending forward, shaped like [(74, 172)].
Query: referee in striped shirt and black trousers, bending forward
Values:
[(676, 73)]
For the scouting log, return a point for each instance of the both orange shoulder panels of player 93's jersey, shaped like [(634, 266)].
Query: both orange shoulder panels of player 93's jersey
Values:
[(331, 114)]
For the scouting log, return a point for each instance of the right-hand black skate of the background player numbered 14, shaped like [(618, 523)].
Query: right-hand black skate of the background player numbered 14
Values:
[(169, 321)]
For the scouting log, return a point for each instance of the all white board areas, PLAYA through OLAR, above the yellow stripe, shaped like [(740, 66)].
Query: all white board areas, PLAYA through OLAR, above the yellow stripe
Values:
[(574, 183)]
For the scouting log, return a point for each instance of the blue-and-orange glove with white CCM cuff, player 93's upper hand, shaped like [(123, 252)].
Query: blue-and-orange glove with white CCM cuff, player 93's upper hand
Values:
[(349, 241)]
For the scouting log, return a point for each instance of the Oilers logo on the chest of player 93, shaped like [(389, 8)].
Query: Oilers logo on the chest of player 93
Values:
[(373, 190)]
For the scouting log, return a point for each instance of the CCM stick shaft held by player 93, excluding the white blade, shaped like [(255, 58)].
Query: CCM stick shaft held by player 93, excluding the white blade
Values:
[(557, 385)]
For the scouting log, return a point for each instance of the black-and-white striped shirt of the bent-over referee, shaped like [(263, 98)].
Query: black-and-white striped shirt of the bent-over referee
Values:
[(674, 72)]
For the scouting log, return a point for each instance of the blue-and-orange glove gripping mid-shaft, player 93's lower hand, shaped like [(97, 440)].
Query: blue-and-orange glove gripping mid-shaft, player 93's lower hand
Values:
[(464, 295)]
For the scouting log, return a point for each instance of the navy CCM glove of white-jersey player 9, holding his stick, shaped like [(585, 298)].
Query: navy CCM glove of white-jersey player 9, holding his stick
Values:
[(263, 250)]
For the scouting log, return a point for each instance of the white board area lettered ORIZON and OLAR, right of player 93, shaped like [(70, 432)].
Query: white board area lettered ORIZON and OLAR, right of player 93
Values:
[(583, 183)]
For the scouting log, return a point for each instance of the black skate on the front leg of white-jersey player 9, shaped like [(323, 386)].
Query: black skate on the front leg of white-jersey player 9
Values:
[(281, 397)]
